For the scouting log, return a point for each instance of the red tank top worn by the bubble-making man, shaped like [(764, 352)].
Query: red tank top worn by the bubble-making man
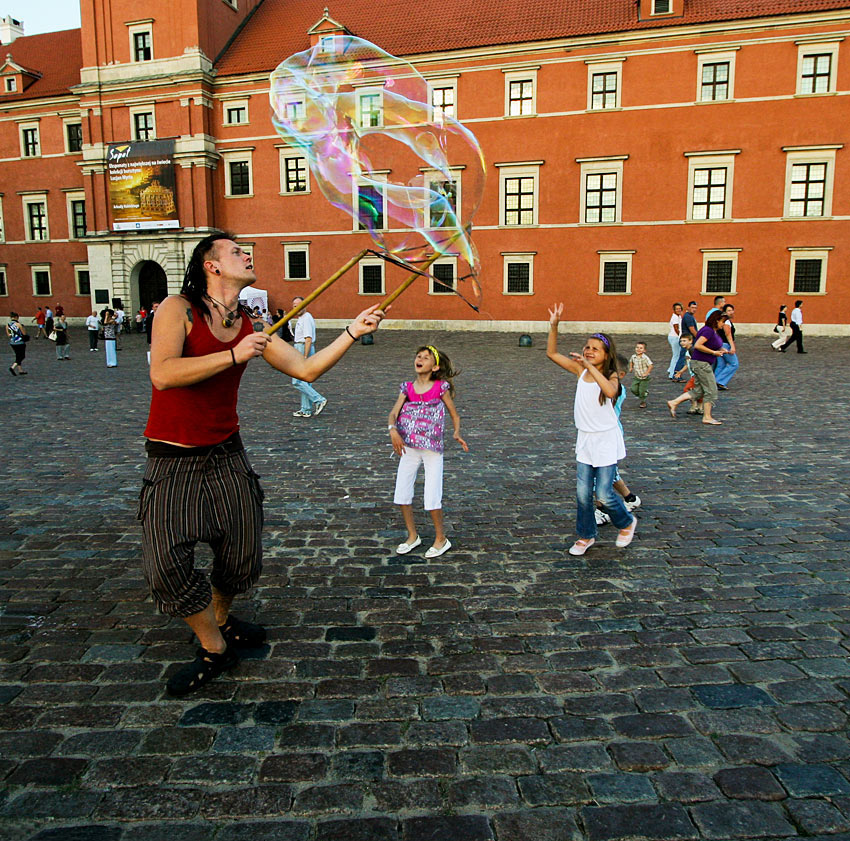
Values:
[(202, 414)]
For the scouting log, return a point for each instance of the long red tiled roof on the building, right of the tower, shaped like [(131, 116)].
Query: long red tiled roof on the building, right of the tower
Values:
[(279, 27)]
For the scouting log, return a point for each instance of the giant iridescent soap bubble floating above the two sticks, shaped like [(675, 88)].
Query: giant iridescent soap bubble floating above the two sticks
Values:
[(409, 174)]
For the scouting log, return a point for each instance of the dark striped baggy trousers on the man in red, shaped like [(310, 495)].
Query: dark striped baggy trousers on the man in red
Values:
[(214, 498)]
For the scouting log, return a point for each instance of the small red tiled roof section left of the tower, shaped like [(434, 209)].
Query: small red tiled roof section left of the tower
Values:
[(58, 56)]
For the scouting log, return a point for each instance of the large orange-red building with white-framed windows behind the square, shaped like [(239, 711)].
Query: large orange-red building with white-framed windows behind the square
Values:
[(637, 153)]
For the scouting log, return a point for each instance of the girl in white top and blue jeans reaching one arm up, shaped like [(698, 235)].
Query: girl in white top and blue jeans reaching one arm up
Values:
[(599, 441)]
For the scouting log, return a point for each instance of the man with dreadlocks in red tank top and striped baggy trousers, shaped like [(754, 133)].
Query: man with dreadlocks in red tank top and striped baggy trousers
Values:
[(198, 484)]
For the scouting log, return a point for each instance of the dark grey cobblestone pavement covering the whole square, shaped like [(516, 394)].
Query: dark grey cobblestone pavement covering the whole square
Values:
[(693, 686)]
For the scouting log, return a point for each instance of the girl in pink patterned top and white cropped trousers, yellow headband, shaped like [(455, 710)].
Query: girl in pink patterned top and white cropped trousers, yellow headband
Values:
[(416, 432)]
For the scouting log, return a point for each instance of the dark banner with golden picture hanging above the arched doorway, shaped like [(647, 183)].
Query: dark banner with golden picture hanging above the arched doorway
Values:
[(142, 185)]
